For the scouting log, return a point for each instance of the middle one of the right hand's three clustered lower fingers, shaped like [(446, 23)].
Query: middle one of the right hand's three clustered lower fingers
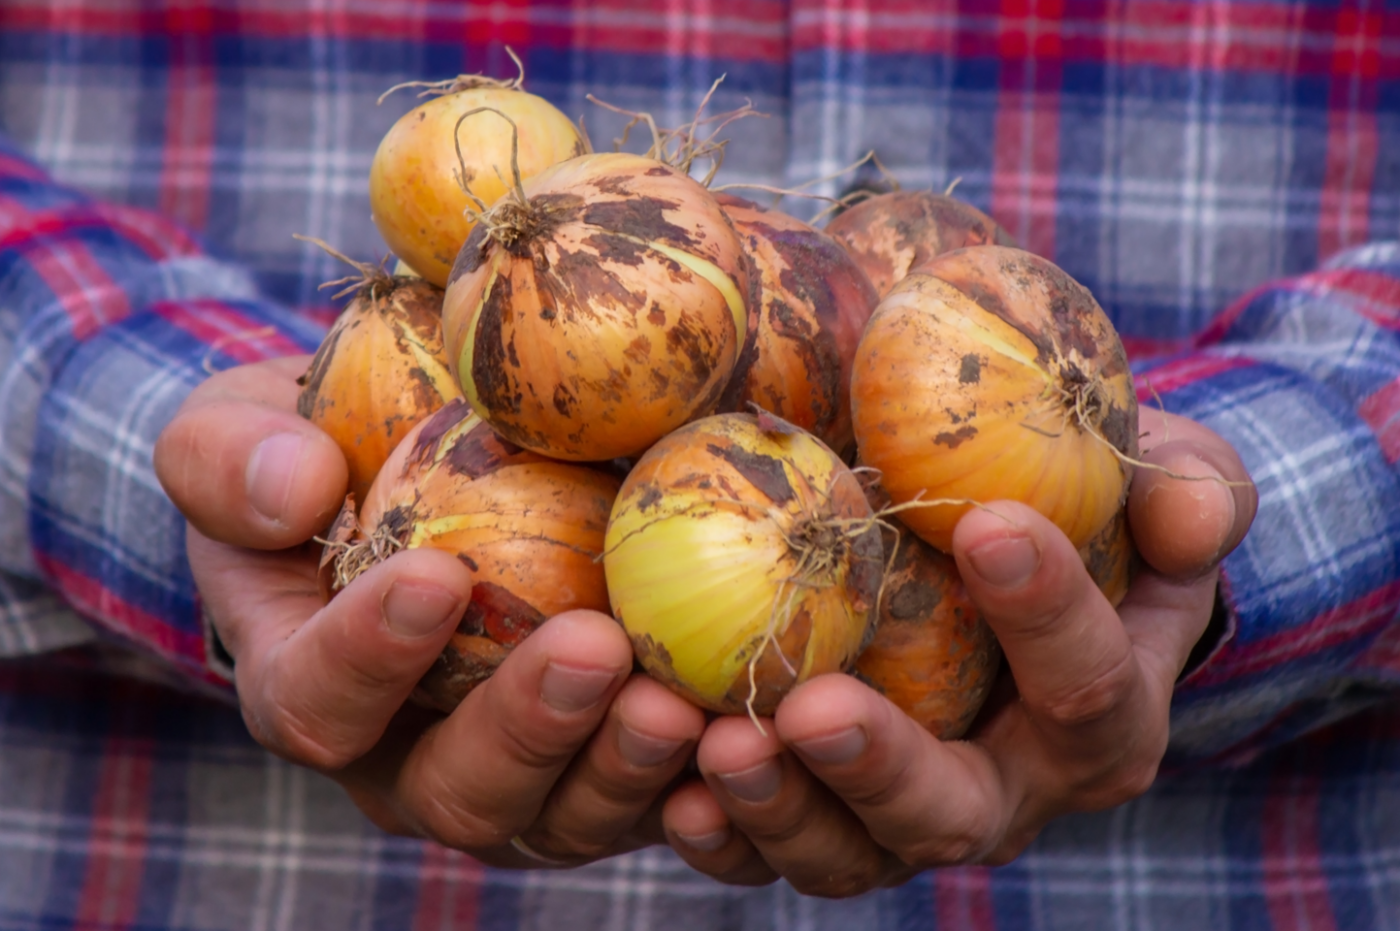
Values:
[(804, 832)]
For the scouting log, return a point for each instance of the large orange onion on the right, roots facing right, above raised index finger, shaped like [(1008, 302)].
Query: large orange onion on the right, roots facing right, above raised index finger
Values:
[(965, 387)]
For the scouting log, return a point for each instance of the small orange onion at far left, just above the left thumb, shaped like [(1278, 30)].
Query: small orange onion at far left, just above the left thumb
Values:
[(379, 372)]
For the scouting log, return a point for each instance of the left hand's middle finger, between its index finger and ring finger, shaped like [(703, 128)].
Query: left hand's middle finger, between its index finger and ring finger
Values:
[(484, 775)]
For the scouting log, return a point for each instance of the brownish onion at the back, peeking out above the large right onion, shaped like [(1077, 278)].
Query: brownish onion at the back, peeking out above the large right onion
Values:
[(890, 236)]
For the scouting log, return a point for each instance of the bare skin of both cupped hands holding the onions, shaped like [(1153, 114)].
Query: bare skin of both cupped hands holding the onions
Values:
[(1080, 724)]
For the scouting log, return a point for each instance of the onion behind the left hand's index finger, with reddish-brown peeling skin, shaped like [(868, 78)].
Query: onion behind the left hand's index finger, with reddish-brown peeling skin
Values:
[(531, 531)]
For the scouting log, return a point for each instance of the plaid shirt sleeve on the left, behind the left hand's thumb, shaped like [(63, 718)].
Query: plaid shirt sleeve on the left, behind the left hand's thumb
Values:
[(108, 318)]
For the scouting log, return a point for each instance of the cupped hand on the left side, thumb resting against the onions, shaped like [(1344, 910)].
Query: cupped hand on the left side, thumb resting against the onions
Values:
[(563, 748)]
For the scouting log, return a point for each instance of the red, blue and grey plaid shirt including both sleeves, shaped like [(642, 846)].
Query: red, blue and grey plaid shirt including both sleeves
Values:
[(1178, 159)]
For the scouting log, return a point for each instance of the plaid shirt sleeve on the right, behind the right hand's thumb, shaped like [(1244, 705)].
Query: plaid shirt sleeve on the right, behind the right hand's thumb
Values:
[(1304, 379)]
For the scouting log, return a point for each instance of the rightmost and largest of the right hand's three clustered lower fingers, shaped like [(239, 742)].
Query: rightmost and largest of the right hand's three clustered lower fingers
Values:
[(929, 803)]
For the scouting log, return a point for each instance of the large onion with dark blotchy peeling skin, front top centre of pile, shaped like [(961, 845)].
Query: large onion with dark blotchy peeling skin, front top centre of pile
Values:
[(615, 316)]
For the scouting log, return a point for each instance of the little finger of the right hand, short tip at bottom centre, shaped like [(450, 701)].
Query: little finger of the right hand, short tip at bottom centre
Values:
[(701, 834)]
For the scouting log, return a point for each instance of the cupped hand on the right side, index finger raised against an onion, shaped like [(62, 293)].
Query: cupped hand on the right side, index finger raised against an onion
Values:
[(845, 793)]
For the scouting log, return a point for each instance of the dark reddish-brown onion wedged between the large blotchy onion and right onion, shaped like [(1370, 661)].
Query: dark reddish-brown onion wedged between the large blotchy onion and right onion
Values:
[(813, 303)]
